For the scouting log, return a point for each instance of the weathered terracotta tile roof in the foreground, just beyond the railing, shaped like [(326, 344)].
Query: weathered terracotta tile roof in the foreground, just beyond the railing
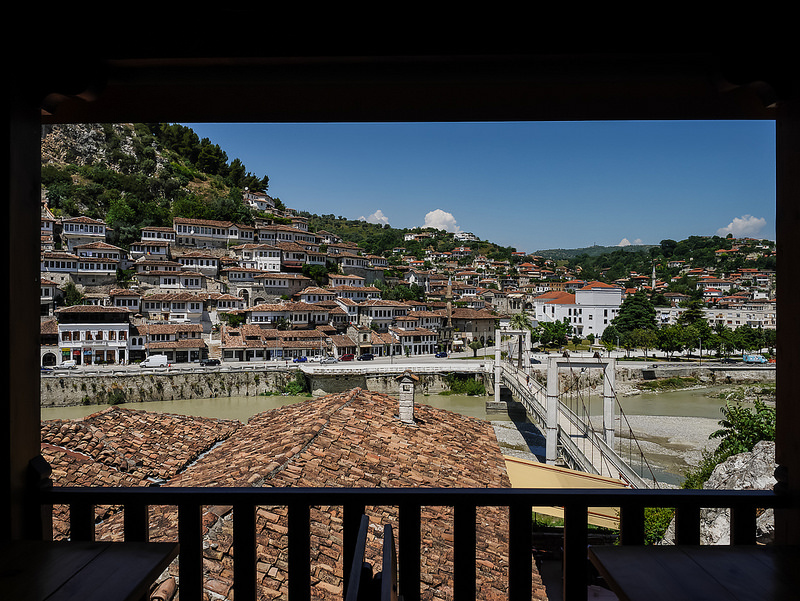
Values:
[(352, 439)]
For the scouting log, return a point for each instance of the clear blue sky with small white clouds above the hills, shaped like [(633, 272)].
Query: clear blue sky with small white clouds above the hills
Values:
[(532, 186)]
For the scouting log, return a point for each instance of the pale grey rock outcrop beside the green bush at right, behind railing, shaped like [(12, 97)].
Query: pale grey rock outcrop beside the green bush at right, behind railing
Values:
[(746, 471)]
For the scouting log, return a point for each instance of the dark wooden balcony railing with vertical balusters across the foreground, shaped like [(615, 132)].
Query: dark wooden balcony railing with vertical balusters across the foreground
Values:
[(409, 501)]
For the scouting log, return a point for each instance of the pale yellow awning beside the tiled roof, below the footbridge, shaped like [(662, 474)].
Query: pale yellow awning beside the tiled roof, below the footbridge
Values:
[(531, 474)]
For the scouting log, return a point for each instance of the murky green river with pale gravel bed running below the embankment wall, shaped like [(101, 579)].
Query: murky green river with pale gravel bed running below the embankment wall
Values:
[(672, 428)]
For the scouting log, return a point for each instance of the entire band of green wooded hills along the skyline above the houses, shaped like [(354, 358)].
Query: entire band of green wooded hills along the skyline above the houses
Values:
[(137, 175)]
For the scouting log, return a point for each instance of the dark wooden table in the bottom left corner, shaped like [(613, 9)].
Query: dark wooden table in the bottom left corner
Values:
[(58, 571)]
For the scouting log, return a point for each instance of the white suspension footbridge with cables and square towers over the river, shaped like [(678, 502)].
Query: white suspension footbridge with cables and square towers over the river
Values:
[(578, 435)]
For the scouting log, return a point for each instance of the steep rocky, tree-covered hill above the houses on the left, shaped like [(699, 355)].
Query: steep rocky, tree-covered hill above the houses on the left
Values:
[(139, 175)]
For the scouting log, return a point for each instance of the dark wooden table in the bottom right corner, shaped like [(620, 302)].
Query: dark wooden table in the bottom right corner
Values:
[(710, 572)]
